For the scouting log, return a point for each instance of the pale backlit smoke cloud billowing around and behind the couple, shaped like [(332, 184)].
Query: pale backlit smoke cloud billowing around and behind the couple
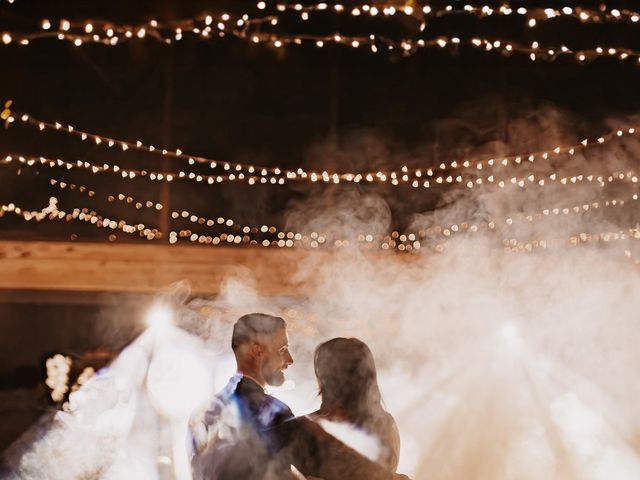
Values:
[(508, 352)]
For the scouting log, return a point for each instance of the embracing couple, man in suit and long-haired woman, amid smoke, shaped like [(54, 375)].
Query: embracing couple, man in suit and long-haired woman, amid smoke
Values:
[(246, 434)]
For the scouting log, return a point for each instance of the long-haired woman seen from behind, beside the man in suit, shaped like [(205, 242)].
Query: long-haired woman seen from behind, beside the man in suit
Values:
[(348, 383)]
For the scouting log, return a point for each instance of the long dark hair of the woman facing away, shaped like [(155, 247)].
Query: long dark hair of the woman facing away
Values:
[(348, 381)]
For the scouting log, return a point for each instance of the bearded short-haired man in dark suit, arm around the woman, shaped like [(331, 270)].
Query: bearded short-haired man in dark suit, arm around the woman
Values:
[(249, 435)]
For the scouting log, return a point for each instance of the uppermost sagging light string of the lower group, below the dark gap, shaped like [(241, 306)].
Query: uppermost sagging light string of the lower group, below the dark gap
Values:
[(256, 174)]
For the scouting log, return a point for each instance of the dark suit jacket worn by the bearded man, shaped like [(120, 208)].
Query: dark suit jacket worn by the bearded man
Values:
[(249, 435)]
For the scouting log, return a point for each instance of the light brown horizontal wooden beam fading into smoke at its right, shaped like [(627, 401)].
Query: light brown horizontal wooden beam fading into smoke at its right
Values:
[(139, 268)]
